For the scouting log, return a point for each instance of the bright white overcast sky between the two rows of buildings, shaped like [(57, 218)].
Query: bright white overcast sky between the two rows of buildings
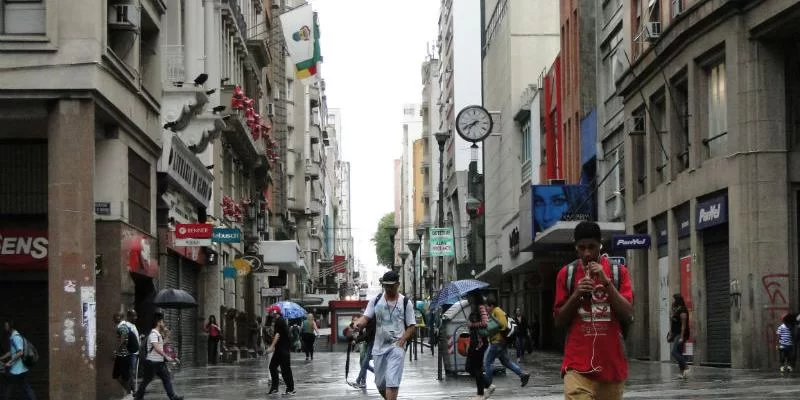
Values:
[(372, 55)]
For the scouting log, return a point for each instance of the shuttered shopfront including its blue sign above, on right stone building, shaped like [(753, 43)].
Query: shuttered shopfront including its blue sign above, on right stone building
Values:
[(712, 225)]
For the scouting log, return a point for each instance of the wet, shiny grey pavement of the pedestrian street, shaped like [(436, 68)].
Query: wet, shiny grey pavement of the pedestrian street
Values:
[(324, 379)]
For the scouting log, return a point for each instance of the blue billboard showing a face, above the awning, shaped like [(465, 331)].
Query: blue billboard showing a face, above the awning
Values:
[(553, 203)]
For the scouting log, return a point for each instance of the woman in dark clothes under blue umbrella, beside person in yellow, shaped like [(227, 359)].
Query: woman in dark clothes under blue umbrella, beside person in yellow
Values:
[(478, 319)]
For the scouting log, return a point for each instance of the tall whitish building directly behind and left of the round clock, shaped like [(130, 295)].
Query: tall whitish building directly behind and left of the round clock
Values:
[(459, 45)]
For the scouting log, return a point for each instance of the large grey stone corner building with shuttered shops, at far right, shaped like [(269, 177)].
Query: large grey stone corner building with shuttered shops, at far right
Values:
[(713, 177)]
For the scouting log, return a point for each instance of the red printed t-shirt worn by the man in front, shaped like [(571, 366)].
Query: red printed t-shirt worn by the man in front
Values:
[(608, 351)]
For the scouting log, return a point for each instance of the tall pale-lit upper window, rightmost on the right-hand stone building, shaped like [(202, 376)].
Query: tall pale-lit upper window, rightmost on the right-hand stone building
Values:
[(716, 140)]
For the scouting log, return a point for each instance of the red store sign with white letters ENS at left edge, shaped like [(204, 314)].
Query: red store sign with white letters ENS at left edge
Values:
[(23, 247)]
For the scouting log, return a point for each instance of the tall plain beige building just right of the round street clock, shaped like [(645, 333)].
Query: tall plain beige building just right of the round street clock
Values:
[(520, 39)]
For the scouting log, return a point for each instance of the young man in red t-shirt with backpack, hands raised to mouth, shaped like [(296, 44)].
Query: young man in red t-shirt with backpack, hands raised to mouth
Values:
[(594, 367)]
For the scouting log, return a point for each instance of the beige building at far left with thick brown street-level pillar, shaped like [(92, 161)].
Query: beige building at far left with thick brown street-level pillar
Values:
[(80, 144)]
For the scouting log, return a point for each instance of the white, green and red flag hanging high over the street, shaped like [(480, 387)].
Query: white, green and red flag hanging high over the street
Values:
[(301, 33)]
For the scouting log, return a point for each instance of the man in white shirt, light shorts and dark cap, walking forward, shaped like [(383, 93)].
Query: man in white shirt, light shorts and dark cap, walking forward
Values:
[(395, 323)]
